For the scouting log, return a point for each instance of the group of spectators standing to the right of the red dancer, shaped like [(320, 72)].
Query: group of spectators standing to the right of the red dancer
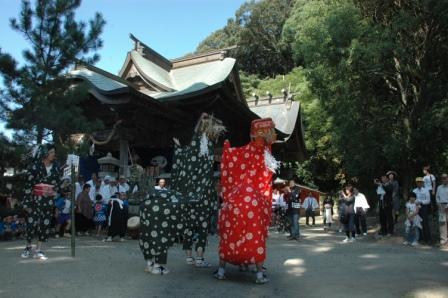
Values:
[(425, 199)]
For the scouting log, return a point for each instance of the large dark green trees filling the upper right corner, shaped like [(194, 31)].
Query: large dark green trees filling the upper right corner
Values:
[(379, 72)]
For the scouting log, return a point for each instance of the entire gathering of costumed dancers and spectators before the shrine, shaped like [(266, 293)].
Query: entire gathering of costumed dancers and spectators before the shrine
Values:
[(102, 203)]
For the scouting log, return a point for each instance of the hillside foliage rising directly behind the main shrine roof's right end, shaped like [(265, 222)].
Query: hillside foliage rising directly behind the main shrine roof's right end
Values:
[(257, 30)]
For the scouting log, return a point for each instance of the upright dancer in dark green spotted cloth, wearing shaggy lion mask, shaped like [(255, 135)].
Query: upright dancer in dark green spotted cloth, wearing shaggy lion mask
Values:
[(192, 176)]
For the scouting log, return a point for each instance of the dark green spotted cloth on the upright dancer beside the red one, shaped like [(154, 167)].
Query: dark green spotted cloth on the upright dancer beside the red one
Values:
[(192, 176)]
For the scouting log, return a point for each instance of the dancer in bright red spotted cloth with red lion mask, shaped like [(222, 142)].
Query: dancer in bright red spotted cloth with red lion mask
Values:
[(246, 179)]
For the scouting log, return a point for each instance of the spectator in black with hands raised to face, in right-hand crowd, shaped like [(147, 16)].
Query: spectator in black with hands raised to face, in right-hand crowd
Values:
[(385, 190)]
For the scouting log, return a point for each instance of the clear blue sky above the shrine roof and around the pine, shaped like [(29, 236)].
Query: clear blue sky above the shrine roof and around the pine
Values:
[(171, 27)]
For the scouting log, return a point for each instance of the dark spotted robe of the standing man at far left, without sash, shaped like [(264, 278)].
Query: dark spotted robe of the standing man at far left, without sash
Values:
[(40, 209)]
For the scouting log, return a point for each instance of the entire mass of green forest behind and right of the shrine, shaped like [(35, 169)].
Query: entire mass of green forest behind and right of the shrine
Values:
[(371, 76)]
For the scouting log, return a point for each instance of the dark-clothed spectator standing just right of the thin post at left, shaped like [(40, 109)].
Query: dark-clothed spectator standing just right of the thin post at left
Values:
[(84, 211)]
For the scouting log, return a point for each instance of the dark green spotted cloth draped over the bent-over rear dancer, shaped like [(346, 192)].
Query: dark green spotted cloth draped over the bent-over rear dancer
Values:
[(161, 222)]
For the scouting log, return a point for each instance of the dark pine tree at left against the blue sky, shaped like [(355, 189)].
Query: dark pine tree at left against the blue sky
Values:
[(38, 99)]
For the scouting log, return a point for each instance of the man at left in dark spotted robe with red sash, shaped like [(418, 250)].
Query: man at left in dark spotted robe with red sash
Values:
[(39, 208)]
